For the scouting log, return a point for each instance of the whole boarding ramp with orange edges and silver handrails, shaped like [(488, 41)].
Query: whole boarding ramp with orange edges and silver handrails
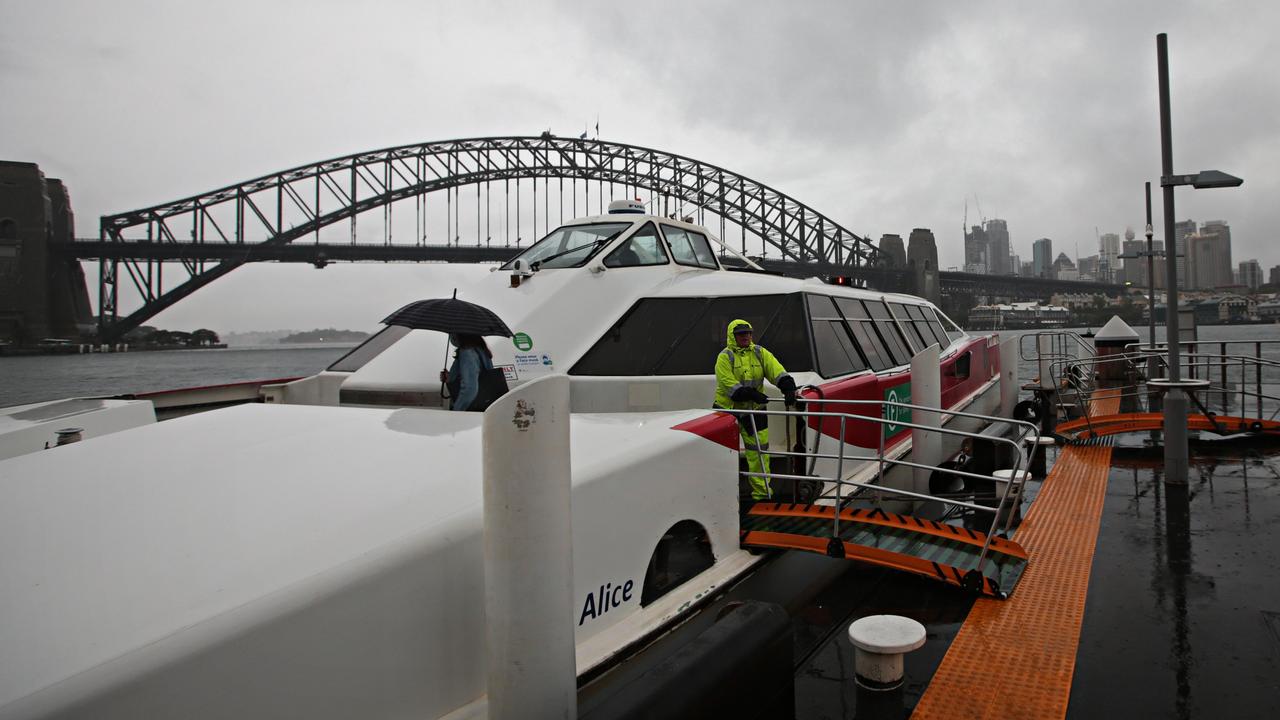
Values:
[(966, 546)]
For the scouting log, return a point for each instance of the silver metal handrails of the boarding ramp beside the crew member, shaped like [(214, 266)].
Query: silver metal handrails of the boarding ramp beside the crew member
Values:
[(1013, 487)]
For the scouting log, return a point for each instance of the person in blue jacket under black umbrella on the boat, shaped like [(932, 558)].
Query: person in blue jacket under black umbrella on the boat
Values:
[(473, 381)]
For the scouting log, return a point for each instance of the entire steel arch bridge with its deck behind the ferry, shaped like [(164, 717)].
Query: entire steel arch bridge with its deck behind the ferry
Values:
[(479, 200)]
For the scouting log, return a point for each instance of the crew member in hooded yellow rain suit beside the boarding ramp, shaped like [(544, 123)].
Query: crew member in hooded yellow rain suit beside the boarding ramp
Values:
[(742, 370)]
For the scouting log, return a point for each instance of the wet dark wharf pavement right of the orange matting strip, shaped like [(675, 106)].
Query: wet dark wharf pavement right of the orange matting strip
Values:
[(1183, 612)]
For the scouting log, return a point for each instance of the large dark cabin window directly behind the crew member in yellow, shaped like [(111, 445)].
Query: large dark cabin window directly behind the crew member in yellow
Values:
[(778, 320)]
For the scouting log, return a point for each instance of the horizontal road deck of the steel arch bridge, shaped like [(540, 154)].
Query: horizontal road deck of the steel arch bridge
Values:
[(892, 280)]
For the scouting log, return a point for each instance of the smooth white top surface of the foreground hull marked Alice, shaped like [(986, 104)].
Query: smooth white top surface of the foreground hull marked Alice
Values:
[(180, 526)]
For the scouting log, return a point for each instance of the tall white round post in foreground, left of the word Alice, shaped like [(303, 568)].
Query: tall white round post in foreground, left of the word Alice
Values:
[(528, 554)]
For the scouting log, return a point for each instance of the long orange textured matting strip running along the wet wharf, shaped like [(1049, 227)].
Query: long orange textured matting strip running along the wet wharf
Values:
[(1014, 659)]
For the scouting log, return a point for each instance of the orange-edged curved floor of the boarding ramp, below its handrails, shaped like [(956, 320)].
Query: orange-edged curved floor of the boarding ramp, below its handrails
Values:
[(904, 543)]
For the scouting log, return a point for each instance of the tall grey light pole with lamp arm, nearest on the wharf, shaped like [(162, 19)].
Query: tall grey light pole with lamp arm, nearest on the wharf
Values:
[(1176, 400)]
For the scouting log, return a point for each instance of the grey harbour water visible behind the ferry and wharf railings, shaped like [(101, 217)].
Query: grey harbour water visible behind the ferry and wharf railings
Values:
[(34, 380)]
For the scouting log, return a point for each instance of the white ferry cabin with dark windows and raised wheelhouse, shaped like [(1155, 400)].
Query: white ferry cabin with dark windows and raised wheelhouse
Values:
[(634, 309)]
